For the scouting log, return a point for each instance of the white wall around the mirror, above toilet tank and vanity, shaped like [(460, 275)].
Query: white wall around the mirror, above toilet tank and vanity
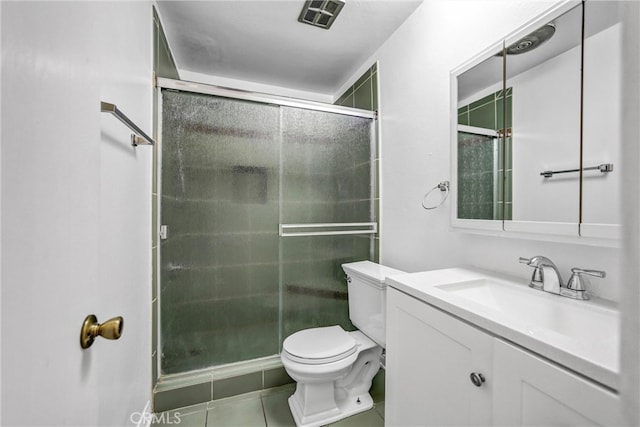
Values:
[(414, 79)]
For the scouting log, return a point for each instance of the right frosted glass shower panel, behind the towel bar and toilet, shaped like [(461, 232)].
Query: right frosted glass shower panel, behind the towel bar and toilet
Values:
[(327, 176)]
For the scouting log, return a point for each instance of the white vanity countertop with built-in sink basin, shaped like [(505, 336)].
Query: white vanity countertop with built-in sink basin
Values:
[(581, 335)]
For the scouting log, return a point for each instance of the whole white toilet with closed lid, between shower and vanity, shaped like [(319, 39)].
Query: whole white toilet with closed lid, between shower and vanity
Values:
[(334, 368)]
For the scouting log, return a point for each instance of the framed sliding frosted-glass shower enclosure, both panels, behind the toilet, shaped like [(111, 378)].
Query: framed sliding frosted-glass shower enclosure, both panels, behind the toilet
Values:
[(261, 200)]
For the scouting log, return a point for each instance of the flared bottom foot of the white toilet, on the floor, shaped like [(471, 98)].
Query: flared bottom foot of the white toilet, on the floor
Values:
[(346, 408)]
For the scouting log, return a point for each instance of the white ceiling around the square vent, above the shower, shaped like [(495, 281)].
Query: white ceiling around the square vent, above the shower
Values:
[(263, 42)]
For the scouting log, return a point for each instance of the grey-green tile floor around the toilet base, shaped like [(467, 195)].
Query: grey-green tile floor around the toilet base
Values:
[(267, 408)]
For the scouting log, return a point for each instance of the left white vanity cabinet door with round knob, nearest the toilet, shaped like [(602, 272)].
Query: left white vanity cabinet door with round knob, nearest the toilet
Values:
[(430, 356)]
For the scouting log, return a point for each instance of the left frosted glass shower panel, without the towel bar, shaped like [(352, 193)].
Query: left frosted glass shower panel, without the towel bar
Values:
[(219, 265)]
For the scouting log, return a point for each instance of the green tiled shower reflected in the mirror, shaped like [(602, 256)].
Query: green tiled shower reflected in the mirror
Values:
[(475, 156)]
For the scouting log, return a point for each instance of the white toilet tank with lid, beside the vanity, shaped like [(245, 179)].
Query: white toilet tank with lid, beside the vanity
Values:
[(368, 297)]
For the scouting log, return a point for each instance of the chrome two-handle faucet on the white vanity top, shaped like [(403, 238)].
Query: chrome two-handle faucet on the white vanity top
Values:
[(546, 277)]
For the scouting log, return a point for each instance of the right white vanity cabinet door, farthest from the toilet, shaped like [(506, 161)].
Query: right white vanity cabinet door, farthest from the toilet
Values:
[(529, 390)]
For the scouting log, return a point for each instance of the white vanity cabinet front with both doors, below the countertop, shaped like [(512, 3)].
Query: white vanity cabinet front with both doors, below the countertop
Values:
[(431, 356)]
